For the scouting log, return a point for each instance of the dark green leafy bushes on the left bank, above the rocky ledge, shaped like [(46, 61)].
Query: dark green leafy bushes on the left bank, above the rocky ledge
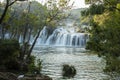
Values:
[(9, 58)]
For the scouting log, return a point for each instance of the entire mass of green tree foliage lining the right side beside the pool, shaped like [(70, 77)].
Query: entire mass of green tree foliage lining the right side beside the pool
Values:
[(105, 34)]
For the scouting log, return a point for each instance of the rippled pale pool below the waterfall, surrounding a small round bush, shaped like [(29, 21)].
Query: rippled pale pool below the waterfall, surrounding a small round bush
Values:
[(89, 66)]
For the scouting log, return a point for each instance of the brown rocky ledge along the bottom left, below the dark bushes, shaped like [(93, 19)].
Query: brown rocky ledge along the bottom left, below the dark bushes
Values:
[(12, 76)]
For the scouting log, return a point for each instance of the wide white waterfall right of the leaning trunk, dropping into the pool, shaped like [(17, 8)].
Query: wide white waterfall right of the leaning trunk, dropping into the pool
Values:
[(62, 37)]
